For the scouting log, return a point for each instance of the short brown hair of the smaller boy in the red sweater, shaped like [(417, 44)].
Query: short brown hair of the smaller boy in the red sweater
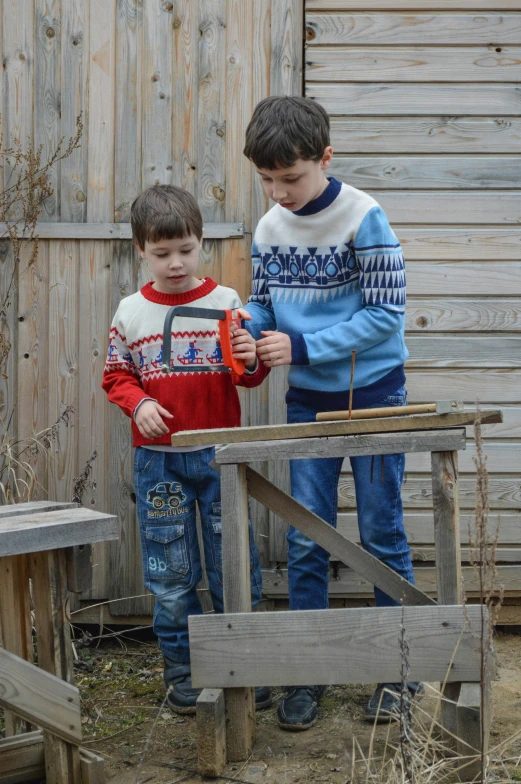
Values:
[(165, 212)]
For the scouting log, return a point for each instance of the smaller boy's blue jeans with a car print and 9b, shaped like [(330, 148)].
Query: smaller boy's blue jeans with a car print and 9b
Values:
[(167, 486)]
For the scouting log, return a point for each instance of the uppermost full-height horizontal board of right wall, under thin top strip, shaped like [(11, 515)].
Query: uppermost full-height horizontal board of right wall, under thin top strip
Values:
[(371, 29)]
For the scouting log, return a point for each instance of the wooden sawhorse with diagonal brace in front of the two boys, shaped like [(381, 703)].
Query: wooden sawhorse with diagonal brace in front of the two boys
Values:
[(288, 648)]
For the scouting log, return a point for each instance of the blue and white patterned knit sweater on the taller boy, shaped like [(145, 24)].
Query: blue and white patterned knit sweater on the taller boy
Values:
[(332, 276)]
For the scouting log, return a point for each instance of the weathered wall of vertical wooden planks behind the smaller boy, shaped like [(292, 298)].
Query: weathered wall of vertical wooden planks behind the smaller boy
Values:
[(165, 91)]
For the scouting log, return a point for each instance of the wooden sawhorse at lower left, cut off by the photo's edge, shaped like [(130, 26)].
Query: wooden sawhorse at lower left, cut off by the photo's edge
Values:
[(48, 543)]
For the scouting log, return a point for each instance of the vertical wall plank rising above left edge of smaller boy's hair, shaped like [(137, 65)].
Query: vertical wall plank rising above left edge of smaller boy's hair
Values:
[(128, 118)]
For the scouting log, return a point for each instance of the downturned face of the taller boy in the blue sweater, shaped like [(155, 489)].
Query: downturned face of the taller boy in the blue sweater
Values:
[(294, 187)]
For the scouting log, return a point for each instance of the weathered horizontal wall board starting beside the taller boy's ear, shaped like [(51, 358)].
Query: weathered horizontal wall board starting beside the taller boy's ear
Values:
[(422, 171)]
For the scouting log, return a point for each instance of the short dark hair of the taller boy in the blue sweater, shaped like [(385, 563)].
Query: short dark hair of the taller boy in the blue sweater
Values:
[(284, 129)]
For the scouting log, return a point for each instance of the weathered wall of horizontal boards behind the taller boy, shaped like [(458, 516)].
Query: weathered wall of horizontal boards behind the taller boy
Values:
[(426, 116)]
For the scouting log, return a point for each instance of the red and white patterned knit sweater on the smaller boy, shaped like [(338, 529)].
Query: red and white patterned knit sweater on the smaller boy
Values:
[(198, 400)]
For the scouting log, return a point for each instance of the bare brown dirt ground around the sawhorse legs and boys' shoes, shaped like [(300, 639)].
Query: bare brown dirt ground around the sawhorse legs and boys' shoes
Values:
[(122, 694)]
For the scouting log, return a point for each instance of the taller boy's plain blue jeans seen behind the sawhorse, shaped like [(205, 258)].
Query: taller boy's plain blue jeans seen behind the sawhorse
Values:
[(314, 483)]
